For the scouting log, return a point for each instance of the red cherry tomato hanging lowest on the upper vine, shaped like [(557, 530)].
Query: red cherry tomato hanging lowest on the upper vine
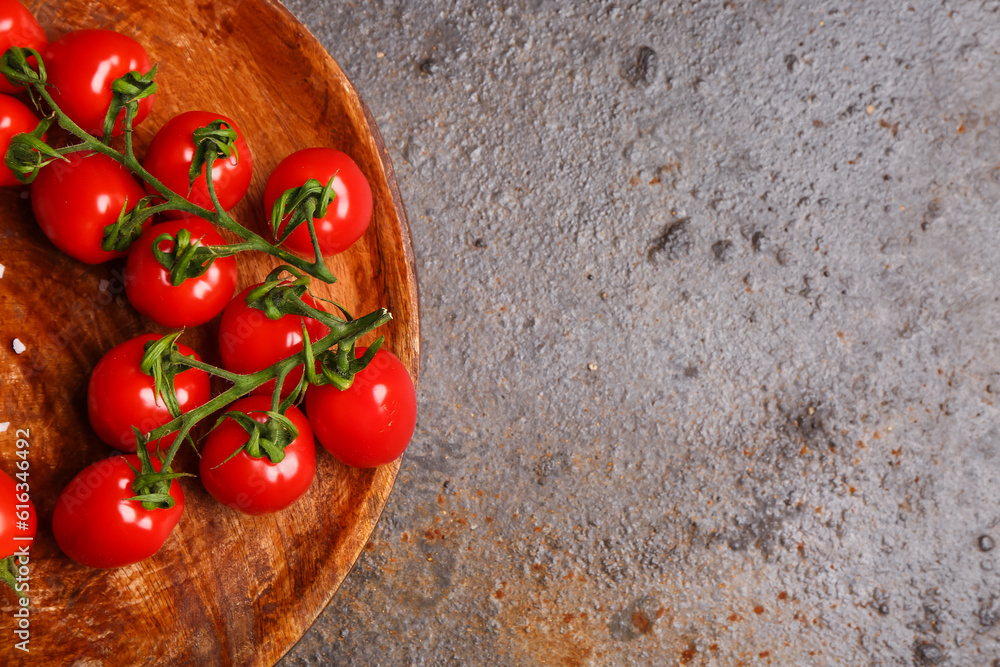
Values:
[(193, 302)]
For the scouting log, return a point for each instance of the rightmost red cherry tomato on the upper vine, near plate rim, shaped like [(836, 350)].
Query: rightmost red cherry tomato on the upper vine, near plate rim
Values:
[(349, 213)]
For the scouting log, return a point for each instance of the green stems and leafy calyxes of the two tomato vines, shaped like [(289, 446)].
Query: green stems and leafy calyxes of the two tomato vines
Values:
[(329, 360)]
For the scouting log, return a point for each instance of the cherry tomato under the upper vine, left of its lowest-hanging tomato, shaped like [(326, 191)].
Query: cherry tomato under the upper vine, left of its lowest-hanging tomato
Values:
[(75, 200)]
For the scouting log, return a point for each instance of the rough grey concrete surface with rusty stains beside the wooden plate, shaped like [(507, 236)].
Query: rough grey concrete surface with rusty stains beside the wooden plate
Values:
[(710, 313)]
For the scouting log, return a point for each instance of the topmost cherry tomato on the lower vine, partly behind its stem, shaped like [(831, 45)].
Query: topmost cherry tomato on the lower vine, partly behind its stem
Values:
[(249, 342)]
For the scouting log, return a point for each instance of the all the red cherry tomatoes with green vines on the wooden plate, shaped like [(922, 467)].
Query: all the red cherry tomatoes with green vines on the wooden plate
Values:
[(281, 348)]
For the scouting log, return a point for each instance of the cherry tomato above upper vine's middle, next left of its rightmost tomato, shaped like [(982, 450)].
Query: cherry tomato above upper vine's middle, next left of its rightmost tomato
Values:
[(169, 159)]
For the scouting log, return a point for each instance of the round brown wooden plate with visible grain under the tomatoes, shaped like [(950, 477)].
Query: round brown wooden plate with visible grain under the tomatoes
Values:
[(226, 588)]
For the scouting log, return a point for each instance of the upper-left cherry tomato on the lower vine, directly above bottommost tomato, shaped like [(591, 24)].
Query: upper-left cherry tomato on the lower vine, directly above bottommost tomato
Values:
[(120, 395)]
